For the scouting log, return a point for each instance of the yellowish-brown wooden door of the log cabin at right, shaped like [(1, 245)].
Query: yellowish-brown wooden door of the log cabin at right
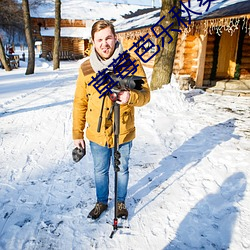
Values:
[(227, 55)]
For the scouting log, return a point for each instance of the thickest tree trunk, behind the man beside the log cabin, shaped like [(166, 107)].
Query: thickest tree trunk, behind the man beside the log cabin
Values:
[(164, 59)]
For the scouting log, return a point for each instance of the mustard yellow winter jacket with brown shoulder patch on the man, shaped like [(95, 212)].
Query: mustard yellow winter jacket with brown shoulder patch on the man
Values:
[(87, 108)]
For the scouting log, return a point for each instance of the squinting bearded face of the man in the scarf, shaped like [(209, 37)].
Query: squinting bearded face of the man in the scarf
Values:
[(104, 42)]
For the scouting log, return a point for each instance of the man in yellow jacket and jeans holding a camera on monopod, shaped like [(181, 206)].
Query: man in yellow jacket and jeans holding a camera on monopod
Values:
[(87, 106)]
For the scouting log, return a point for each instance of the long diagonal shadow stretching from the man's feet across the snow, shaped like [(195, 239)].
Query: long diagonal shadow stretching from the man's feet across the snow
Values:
[(187, 155)]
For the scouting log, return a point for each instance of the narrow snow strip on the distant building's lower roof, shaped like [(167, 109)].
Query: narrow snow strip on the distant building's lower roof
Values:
[(80, 32)]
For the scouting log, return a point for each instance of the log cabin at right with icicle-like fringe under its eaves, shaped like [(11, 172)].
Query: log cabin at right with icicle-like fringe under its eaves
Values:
[(213, 49)]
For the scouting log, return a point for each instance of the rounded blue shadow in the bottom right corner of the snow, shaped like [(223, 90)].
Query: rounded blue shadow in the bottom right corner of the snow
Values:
[(210, 223)]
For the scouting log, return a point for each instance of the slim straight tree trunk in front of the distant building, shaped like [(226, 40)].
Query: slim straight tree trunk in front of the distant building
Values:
[(56, 59)]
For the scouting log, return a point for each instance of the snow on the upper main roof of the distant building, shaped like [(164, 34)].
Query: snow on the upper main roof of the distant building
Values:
[(85, 10)]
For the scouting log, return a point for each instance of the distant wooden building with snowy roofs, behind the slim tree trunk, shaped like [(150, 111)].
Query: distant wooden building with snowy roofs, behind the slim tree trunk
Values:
[(77, 18)]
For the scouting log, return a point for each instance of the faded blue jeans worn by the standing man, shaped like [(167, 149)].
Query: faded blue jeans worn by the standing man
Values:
[(102, 158)]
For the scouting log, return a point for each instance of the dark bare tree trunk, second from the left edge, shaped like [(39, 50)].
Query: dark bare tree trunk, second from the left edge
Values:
[(29, 38)]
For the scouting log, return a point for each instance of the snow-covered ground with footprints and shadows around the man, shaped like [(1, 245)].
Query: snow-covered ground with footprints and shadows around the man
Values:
[(189, 170)]
